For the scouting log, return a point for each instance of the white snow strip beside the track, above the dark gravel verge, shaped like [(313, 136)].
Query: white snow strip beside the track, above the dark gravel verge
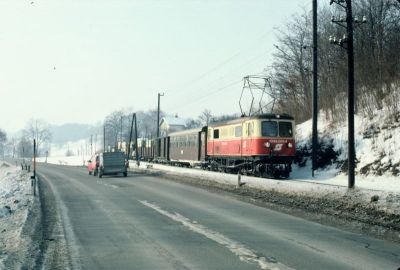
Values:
[(301, 183)]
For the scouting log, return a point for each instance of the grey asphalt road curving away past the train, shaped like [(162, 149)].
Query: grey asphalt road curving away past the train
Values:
[(146, 222)]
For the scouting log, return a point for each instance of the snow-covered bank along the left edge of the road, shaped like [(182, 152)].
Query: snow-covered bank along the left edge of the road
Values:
[(16, 201)]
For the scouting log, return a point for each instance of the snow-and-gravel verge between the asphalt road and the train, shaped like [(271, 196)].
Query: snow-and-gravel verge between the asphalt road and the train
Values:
[(370, 212)]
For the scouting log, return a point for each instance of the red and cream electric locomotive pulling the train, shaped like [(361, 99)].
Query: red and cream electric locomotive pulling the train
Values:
[(260, 145)]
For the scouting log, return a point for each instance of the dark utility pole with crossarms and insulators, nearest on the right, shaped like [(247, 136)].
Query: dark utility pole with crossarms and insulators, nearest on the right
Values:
[(347, 43)]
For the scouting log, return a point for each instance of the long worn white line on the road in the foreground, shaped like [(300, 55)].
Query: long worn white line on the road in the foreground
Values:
[(245, 254)]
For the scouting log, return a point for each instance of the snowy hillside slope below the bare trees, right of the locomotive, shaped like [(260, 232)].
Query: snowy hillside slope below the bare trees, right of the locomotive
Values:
[(376, 140)]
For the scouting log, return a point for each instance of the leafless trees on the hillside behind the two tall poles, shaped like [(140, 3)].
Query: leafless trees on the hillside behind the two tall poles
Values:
[(376, 56)]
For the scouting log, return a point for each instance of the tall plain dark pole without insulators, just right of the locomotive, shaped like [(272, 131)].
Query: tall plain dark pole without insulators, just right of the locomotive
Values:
[(315, 89)]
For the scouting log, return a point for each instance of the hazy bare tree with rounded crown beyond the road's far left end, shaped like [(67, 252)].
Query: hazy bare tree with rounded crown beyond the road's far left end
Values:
[(37, 129)]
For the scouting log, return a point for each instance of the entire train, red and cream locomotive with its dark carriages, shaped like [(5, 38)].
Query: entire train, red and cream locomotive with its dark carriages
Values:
[(261, 145)]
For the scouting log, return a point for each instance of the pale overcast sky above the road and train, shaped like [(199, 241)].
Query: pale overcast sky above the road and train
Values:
[(76, 61)]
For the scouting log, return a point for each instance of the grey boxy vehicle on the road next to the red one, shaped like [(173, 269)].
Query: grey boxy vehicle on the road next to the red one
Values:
[(111, 163)]
